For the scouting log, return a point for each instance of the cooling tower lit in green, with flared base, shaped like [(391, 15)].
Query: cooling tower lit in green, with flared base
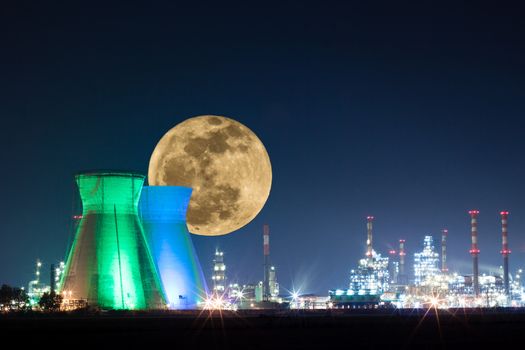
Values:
[(110, 265)]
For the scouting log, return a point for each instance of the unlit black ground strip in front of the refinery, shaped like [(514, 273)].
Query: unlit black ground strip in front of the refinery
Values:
[(272, 329)]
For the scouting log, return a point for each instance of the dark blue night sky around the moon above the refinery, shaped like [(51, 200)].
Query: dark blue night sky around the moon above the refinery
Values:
[(413, 114)]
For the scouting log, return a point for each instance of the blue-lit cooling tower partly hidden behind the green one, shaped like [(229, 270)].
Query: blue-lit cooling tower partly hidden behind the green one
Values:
[(163, 213)]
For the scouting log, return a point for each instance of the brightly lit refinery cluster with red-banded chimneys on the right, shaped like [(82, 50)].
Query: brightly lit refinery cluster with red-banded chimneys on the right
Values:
[(381, 282)]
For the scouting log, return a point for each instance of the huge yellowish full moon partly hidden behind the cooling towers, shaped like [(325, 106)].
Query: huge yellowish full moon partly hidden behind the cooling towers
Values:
[(226, 165)]
